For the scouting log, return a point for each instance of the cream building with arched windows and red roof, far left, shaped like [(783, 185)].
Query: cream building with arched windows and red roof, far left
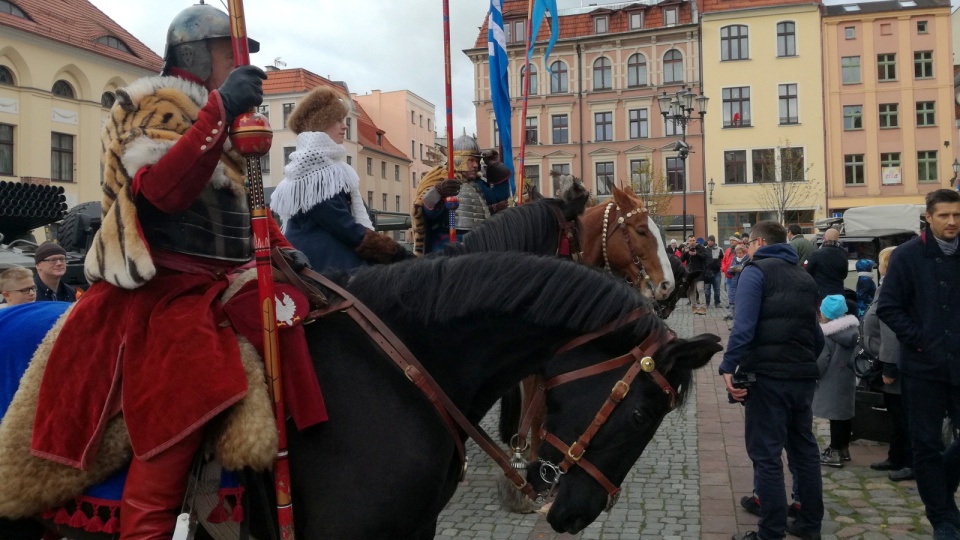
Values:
[(56, 88)]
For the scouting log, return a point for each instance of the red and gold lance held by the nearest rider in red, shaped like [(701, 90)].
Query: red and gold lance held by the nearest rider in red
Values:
[(252, 136)]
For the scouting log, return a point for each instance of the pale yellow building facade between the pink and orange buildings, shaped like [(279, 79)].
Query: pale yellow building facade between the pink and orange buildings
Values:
[(764, 155)]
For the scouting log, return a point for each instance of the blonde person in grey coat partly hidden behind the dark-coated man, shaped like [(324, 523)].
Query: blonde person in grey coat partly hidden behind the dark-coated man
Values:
[(880, 341)]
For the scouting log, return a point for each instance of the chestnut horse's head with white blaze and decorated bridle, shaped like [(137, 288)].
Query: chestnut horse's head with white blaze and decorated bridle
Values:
[(620, 234)]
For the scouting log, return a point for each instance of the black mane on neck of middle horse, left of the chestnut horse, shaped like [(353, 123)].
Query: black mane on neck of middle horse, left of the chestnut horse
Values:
[(537, 219)]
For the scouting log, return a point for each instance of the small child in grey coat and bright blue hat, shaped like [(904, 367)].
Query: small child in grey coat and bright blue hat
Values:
[(836, 391)]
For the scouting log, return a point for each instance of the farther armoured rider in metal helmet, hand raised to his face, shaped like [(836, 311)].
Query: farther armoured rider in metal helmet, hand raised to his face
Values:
[(481, 194)]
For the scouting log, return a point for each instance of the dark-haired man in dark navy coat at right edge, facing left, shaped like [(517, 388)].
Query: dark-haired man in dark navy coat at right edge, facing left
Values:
[(920, 302)]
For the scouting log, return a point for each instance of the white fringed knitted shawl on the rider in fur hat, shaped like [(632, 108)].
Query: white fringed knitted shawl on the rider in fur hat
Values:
[(317, 171)]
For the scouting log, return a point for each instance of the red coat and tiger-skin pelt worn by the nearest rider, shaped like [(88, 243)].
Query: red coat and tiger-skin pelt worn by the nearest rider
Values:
[(146, 339)]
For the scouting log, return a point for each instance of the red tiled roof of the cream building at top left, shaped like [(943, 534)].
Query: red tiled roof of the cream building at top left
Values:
[(79, 23)]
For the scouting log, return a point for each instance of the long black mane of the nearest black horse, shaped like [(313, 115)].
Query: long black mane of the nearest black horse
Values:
[(543, 290)]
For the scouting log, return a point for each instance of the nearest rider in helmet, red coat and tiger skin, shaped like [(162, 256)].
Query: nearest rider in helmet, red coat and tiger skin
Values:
[(156, 344)]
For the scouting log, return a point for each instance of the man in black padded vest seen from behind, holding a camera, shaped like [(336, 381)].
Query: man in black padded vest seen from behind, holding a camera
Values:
[(776, 337)]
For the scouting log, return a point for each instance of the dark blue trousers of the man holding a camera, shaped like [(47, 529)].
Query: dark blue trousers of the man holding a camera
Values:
[(778, 416)]
